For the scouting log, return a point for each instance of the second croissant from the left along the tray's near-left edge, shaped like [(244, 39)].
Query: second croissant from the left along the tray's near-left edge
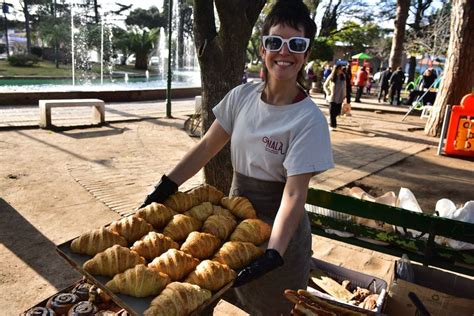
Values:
[(113, 260)]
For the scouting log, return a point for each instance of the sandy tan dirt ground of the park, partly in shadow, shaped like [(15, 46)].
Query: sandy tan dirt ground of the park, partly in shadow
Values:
[(50, 187)]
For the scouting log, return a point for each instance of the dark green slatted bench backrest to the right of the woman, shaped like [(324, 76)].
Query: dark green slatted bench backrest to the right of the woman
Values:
[(423, 250)]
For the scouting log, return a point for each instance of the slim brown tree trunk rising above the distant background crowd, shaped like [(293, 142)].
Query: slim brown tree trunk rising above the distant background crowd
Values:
[(399, 33)]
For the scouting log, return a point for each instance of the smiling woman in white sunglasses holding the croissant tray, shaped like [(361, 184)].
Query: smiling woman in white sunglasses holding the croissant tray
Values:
[(279, 140)]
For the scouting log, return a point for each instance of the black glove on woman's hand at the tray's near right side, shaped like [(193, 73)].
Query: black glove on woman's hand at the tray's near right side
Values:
[(266, 263)]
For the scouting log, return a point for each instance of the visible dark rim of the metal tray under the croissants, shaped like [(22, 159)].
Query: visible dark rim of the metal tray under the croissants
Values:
[(135, 306)]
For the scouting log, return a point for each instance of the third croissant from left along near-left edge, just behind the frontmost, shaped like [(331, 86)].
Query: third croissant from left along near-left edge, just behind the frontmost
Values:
[(139, 281)]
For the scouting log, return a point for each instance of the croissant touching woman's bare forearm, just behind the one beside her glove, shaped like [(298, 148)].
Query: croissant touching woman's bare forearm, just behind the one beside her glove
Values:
[(255, 231)]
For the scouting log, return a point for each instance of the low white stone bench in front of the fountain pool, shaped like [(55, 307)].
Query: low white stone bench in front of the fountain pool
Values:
[(98, 109)]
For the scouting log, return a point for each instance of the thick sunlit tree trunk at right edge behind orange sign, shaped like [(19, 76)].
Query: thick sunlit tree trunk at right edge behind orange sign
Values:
[(457, 79)]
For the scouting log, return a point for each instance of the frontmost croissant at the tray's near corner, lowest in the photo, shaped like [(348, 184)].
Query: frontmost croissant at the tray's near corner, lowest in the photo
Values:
[(178, 299)]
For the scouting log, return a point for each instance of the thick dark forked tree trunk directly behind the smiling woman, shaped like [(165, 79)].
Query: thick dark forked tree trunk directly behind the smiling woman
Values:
[(221, 58)]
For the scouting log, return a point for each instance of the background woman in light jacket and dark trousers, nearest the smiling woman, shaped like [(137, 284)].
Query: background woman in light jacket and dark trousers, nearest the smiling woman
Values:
[(335, 88)]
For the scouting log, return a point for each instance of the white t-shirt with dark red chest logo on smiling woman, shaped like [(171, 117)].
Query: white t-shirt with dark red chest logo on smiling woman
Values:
[(270, 142)]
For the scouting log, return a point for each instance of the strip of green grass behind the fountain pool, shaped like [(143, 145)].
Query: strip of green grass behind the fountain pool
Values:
[(48, 69)]
